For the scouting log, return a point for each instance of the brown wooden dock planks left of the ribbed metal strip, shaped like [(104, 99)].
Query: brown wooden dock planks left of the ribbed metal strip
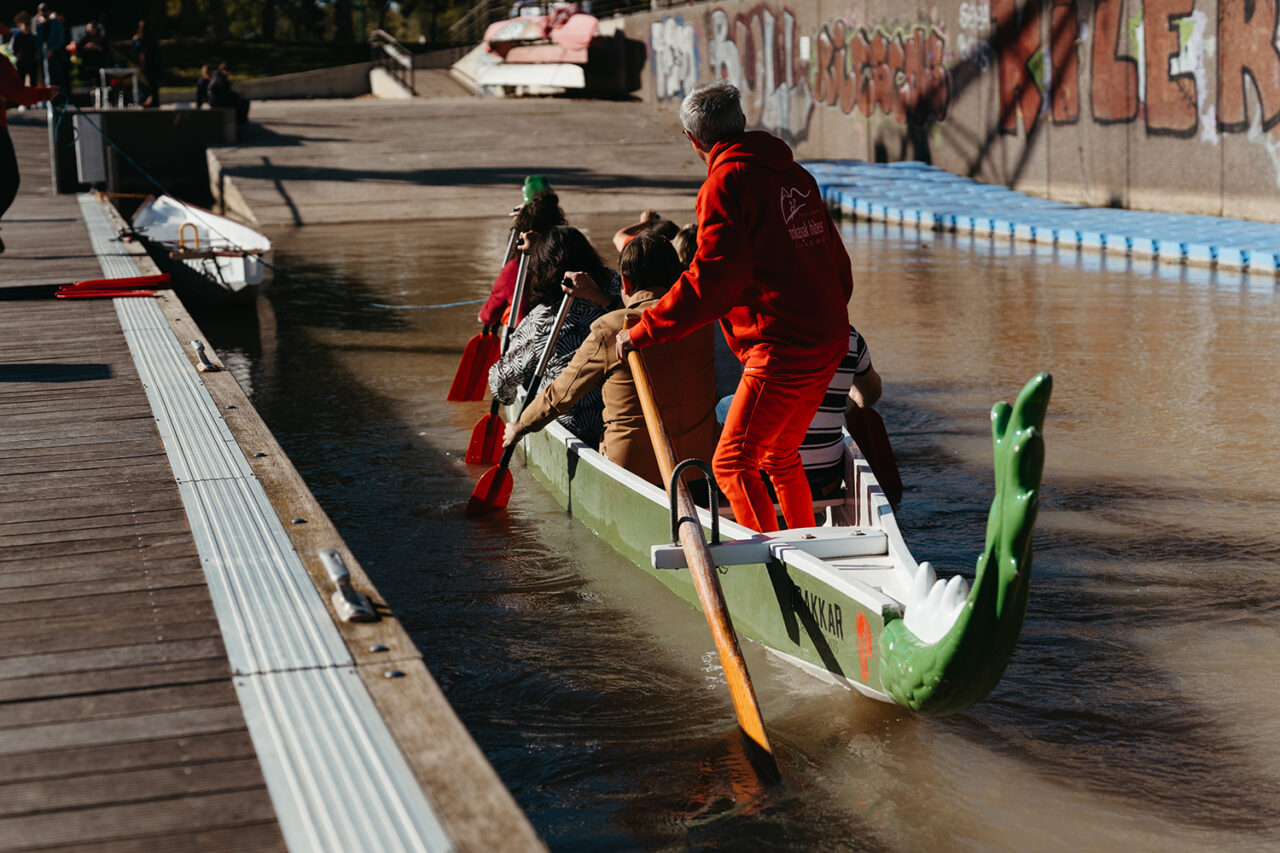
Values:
[(120, 724)]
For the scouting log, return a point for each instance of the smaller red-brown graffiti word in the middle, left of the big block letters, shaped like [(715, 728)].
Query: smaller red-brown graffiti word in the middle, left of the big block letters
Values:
[(899, 74)]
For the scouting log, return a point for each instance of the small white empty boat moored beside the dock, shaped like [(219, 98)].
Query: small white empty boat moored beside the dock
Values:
[(212, 259)]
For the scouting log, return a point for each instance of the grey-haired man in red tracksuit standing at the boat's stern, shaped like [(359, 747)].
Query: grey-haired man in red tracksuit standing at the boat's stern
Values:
[(772, 270)]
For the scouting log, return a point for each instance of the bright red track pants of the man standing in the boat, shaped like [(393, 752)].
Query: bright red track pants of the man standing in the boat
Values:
[(772, 409)]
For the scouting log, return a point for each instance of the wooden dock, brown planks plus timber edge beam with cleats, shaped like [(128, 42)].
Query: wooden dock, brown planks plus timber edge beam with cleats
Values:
[(121, 717)]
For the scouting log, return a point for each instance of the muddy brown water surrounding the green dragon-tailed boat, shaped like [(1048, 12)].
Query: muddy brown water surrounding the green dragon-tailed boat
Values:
[(1139, 711)]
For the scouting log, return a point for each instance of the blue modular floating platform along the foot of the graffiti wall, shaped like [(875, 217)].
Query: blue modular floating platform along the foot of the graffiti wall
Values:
[(931, 199)]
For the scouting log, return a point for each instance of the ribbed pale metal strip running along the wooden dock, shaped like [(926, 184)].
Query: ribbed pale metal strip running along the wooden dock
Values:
[(339, 781)]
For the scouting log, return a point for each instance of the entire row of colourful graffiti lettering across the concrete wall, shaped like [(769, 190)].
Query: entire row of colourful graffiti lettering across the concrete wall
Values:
[(1155, 63)]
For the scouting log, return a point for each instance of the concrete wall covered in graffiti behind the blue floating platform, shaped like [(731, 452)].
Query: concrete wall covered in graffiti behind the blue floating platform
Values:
[(1095, 103)]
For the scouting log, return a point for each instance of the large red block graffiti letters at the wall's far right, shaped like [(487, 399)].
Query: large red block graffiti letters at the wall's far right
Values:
[(1153, 66)]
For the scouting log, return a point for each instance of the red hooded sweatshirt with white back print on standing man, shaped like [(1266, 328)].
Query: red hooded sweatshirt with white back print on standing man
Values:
[(770, 261)]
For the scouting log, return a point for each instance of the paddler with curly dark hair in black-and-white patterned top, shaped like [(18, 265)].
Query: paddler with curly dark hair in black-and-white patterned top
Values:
[(561, 262)]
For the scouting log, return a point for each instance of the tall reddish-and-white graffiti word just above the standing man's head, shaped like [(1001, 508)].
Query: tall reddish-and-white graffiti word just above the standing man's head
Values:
[(760, 54)]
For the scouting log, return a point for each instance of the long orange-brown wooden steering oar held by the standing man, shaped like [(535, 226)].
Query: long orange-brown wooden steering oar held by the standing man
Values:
[(702, 568)]
